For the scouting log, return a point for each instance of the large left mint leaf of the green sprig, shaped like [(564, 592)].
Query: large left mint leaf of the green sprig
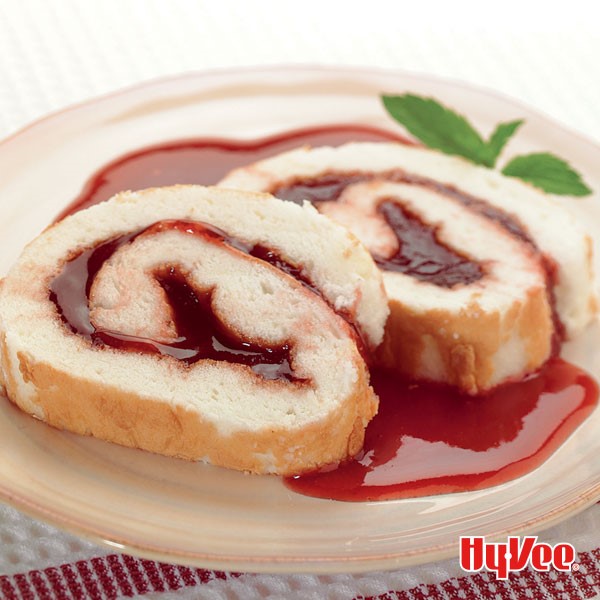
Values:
[(437, 126)]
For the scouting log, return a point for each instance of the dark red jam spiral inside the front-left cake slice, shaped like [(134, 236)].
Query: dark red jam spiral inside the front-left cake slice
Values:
[(200, 333)]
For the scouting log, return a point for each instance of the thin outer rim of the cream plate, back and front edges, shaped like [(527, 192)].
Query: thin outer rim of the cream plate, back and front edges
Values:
[(278, 564)]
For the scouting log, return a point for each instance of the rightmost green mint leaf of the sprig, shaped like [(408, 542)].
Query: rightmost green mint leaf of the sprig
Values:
[(547, 172)]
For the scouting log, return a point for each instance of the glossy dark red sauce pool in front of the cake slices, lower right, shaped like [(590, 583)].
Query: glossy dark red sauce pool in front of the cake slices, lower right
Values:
[(428, 439)]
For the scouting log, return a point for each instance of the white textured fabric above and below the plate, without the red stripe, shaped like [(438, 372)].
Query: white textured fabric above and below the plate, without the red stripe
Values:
[(53, 54)]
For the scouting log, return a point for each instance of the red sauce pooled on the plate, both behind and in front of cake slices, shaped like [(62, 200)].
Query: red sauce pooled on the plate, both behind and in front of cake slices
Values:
[(426, 439)]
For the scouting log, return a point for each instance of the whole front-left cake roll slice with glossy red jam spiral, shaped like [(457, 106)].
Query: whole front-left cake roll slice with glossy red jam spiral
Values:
[(197, 322)]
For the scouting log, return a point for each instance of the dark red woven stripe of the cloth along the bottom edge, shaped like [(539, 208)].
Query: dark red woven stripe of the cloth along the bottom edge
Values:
[(121, 576)]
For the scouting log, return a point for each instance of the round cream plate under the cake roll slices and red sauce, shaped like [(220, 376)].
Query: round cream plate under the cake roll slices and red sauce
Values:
[(195, 514)]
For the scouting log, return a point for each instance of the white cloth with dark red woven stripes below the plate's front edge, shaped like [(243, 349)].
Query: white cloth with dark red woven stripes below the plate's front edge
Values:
[(40, 562)]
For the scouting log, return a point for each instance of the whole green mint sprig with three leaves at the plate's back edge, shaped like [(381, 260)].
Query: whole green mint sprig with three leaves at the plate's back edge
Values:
[(441, 128)]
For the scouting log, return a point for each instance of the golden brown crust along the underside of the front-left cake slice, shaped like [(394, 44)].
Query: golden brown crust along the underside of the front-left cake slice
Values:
[(128, 419)]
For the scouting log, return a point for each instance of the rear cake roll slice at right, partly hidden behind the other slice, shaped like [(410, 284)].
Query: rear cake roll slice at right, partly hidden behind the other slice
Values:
[(485, 275)]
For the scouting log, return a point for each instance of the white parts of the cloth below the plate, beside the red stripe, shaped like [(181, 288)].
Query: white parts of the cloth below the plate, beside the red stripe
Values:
[(27, 545)]
